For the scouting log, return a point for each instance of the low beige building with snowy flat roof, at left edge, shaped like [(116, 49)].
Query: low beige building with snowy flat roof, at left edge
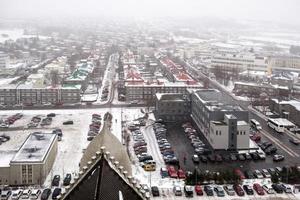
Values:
[(31, 164)]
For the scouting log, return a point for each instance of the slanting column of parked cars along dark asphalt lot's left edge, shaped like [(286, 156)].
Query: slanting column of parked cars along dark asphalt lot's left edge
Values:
[(165, 147)]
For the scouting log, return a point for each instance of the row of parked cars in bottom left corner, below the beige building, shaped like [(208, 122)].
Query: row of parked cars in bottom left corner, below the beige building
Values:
[(35, 193)]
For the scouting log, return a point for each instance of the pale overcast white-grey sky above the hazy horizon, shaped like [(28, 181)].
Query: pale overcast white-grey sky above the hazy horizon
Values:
[(272, 10)]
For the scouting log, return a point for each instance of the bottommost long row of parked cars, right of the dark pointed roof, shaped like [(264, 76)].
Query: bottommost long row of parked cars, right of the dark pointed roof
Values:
[(232, 190)]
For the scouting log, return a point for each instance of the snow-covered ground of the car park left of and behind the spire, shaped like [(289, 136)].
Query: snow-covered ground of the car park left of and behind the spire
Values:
[(74, 140)]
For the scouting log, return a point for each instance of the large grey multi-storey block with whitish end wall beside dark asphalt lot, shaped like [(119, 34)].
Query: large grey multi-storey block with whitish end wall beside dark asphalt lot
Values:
[(224, 125)]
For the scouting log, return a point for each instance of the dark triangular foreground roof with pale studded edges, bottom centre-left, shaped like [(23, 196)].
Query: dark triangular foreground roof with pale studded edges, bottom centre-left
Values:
[(102, 182)]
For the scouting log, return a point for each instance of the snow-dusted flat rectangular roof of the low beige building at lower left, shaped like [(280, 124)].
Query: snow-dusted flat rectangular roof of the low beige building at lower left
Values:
[(35, 148)]
